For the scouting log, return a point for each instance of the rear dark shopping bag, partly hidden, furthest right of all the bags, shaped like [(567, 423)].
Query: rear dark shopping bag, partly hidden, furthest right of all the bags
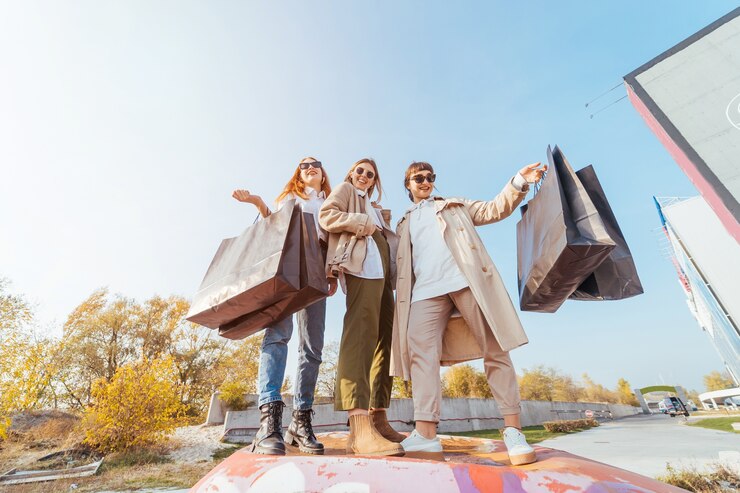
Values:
[(616, 278)]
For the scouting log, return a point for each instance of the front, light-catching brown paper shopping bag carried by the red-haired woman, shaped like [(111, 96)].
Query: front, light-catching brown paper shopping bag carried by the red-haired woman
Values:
[(251, 271)]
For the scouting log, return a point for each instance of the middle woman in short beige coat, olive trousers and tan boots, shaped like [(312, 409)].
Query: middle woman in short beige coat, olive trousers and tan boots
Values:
[(361, 250)]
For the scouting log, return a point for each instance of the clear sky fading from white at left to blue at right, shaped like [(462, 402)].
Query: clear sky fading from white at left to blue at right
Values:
[(125, 126)]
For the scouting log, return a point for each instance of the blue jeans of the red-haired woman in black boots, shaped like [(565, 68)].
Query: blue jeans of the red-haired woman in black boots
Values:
[(274, 356)]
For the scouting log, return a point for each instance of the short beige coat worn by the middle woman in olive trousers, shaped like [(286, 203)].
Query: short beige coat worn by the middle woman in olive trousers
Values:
[(343, 216)]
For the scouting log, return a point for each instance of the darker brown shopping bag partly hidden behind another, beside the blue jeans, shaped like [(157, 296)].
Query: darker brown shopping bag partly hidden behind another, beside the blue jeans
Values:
[(313, 287)]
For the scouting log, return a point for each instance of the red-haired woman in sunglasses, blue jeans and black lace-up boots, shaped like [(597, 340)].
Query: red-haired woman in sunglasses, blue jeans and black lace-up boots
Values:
[(309, 187)]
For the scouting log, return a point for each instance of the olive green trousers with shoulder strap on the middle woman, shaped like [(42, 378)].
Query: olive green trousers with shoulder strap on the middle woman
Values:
[(363, 370)]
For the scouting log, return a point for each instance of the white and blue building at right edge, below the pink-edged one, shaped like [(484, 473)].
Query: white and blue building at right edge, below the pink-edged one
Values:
[(707, 261)]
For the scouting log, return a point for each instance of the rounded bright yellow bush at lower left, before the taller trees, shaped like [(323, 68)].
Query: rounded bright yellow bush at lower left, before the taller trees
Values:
[(139, 407)]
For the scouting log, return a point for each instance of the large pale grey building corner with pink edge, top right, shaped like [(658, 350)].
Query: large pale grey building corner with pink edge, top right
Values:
[(689, 96)]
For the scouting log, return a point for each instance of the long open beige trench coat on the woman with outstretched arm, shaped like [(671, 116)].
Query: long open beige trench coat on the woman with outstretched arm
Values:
[(457, 219)]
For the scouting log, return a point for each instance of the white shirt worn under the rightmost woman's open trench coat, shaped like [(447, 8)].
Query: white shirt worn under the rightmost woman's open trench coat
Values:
[(435, 269)]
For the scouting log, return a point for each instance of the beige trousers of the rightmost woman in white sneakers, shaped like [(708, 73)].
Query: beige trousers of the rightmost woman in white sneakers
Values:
[(427, 321)]
